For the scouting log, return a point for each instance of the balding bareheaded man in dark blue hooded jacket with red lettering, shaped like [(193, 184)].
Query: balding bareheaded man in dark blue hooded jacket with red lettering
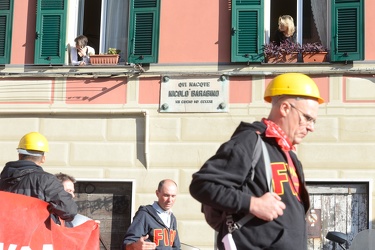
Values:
[(154, 226)]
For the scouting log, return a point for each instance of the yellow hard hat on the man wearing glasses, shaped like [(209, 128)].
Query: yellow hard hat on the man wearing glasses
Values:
[(294, 84)]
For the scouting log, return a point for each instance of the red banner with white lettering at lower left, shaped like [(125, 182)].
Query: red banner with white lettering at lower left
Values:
[(25, 224)]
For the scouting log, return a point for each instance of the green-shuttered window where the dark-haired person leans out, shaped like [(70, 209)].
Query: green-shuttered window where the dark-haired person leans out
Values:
[(131, 26)]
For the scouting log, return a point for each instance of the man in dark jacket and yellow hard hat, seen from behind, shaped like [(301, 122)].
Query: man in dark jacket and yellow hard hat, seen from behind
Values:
[(27, 177)]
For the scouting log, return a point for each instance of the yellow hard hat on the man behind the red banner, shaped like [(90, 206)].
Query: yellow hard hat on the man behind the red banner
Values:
[(33, 141)]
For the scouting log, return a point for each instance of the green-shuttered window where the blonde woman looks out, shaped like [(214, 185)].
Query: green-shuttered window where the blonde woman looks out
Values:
[(337, 24)]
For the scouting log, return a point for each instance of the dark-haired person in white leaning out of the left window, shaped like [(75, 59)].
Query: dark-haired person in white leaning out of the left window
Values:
[(80, 54)]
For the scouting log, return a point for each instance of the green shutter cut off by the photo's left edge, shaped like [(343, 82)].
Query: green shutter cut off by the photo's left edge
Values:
[(6, 14)]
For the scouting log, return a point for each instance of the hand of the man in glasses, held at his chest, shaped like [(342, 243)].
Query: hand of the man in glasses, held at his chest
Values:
[(267, 207)]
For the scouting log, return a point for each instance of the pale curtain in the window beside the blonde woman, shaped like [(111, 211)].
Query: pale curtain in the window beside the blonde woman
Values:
[(319, 10)]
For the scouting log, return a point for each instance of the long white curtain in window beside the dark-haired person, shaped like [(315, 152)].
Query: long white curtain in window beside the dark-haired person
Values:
[(116, 26)]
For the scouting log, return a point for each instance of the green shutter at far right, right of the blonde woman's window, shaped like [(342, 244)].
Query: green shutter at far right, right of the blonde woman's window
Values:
[(347, 38)]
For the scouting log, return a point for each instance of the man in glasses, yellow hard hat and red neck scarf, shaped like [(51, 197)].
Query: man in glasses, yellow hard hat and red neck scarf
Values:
[(272, 196)]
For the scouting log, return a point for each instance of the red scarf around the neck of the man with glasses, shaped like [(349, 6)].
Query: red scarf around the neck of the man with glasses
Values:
[(273, 130)]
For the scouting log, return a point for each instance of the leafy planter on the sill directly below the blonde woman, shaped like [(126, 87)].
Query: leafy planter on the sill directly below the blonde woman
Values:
[(286, 52)]
